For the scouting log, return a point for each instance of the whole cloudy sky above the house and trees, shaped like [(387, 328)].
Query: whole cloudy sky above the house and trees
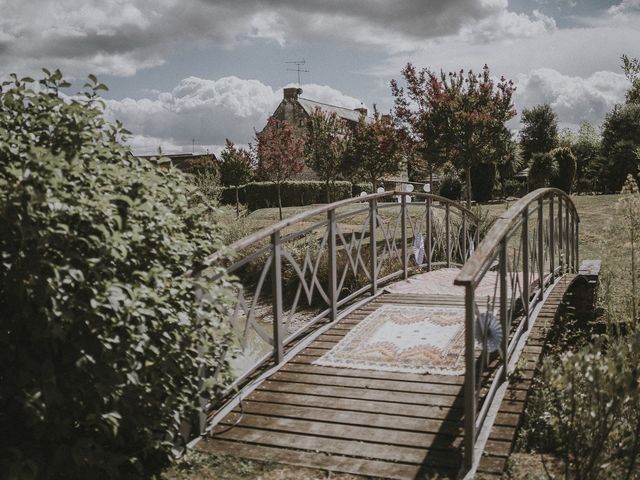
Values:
[(185, 72)]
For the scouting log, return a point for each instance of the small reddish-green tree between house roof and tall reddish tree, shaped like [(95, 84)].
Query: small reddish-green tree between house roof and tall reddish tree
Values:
[(374, 149)]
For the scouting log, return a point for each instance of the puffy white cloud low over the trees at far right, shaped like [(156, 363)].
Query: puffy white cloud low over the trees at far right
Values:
[(574, 99)]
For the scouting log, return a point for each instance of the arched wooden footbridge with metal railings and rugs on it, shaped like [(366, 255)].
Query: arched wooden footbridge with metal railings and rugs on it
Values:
[(306, 285)]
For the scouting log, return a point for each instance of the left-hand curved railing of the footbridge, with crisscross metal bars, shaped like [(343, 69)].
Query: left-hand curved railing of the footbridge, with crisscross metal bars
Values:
[(315, 267)]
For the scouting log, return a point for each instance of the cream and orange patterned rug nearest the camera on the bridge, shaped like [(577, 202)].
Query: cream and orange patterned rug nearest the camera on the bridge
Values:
[(404, 338)]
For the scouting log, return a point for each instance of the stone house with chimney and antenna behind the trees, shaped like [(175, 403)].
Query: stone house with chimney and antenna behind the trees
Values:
[(295, 110)]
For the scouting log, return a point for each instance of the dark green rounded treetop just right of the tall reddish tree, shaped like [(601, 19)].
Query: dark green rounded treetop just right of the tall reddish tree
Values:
[(539, 132)]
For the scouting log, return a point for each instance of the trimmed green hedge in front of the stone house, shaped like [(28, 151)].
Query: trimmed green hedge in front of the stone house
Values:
[(264, 194)]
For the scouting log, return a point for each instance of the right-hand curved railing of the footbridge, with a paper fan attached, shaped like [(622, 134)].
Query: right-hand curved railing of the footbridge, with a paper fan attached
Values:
[(517, 262)]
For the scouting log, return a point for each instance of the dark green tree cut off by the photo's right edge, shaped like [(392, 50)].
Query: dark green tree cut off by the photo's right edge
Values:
[(620, 138)]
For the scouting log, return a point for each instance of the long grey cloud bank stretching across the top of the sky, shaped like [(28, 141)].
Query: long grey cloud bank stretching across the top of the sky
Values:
[(121, 37)]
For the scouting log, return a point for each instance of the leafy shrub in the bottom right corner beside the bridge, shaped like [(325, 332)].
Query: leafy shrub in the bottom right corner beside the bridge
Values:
[(588, 409)]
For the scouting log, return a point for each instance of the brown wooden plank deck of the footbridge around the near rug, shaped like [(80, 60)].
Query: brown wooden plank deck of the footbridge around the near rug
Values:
[(368, 422)]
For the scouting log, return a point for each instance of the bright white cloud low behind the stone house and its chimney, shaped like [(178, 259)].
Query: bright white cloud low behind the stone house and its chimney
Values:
[(207, 112)]
